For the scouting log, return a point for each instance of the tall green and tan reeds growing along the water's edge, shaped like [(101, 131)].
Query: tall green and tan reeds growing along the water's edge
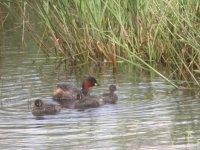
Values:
[(148, 34)]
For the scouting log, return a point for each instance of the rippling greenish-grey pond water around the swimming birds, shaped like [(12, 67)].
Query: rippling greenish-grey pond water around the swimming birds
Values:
[(150, 114)]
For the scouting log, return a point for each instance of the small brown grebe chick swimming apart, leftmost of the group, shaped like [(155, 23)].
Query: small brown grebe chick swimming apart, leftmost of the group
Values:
[(40, 108)]
